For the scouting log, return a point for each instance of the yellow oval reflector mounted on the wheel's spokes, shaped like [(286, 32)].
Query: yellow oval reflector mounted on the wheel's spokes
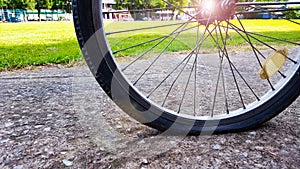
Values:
[(273, 63)]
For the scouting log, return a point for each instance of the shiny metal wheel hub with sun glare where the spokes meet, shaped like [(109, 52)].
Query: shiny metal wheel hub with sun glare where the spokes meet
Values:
[(215, 10)]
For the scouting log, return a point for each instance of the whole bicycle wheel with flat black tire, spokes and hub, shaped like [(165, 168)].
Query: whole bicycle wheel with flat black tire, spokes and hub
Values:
[(197, 69)]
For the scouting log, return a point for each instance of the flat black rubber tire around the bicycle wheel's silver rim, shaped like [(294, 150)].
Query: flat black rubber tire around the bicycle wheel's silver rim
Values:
[(106, 71)]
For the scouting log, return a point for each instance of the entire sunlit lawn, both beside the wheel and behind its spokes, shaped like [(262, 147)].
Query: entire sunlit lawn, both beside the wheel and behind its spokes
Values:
[(26, 44)]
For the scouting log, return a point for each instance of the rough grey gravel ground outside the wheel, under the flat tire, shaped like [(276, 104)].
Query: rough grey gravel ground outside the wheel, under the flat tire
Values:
[(57, 117)]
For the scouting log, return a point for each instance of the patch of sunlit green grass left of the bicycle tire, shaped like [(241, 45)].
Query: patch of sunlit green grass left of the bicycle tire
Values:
[(26, 44)]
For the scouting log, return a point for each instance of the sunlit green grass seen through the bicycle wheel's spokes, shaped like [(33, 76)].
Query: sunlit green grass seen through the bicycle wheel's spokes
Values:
[(187, 40)]
